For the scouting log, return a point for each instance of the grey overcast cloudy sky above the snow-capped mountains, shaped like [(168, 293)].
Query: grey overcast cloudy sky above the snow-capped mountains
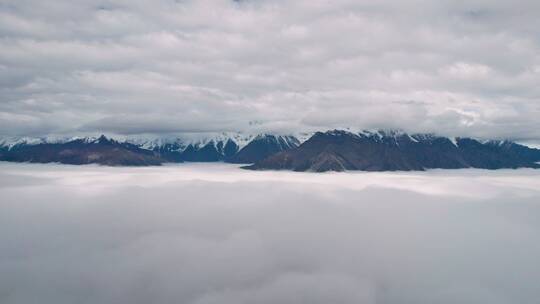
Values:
[(461, 68)]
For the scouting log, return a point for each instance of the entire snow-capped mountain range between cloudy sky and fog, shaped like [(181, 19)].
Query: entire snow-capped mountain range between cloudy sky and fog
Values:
[(335, 150)]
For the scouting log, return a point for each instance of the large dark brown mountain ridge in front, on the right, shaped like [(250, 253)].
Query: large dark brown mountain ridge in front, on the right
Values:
[(396, 151)]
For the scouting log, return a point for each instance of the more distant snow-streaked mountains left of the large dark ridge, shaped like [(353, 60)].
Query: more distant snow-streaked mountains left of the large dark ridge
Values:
[(235, 148)]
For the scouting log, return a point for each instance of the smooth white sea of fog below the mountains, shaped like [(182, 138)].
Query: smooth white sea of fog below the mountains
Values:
[(213, 233)]
